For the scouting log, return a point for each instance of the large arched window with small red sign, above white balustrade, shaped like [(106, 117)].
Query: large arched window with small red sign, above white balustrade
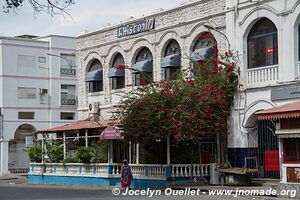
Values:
[(262, 44)]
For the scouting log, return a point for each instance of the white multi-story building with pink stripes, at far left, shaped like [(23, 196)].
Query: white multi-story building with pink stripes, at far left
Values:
[(38, 91)]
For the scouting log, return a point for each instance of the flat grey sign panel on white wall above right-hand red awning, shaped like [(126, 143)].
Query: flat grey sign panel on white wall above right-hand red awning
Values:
[(286, 93)]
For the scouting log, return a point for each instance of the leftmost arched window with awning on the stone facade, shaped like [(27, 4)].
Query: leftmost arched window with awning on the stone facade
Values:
[(94, 77)]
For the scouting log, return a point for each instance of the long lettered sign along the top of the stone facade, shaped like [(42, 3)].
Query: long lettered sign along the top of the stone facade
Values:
[(137, 27)]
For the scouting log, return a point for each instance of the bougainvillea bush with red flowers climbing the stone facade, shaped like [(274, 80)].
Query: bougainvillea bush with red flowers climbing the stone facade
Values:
[(194, 106)]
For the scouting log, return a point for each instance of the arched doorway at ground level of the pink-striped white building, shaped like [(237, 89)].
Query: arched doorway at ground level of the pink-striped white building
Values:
[(18, 160)]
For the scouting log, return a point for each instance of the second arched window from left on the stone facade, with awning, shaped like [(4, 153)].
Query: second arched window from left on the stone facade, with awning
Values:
[(117, 74)]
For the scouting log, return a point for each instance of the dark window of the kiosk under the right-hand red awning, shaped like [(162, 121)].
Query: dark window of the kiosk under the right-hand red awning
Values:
[(292, 150)]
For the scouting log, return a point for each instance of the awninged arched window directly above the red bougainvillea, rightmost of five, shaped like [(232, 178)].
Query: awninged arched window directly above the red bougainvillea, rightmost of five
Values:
[(204, 47)]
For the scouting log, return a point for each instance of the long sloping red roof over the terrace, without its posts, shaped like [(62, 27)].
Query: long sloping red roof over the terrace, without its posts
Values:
[(77, 126)]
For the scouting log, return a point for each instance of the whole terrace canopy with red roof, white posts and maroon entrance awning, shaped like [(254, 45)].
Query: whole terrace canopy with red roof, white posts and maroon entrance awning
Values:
[(92, 129)]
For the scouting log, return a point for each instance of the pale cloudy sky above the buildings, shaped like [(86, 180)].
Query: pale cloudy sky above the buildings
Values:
[(87, 15)]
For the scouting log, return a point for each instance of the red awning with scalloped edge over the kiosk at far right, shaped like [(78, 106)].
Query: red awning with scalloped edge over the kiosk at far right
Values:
[(287, 111)]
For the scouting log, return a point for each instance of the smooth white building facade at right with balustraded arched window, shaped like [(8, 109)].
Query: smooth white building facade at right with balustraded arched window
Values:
[(266, 34)]
